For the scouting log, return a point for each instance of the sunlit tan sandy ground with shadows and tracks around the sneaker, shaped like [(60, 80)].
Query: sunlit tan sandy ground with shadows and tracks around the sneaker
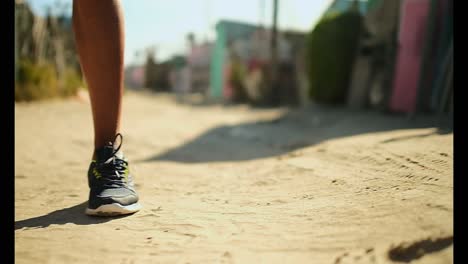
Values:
[(237, 185)]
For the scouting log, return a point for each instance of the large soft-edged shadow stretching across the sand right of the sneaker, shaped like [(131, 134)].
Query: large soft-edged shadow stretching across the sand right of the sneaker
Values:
[(294, 130)]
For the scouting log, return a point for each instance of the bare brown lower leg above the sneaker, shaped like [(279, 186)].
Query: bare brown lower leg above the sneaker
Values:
[(99, 35)]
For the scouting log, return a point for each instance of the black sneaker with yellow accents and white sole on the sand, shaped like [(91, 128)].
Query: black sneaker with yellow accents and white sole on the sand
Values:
[(111, 184)]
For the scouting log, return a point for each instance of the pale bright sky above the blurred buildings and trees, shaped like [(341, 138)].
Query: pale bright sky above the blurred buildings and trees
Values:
[(164, 24)]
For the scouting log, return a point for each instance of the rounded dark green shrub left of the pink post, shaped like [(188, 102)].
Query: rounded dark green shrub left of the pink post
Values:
[(330, 54)]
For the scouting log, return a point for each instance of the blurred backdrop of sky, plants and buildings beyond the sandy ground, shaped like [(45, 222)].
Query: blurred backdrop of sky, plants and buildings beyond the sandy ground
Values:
[(384, 54)]
